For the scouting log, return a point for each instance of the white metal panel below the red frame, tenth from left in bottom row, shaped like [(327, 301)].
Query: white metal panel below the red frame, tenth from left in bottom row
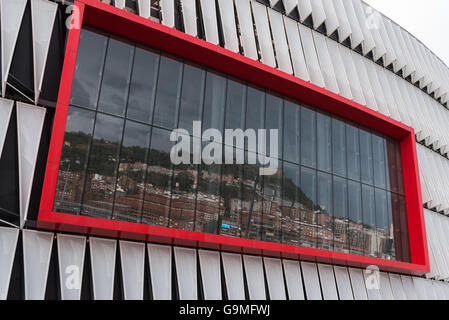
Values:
[(254, 277)]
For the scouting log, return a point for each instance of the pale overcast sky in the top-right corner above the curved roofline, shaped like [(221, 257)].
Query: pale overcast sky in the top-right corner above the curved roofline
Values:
[(427, 20)]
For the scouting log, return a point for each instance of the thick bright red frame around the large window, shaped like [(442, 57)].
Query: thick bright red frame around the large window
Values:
[(116, 21)]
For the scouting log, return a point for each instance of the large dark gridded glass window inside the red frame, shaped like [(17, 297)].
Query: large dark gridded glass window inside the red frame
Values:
[(336, 186)]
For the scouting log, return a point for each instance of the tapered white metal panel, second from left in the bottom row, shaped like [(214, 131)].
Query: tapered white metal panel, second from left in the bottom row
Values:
[(36, 261)]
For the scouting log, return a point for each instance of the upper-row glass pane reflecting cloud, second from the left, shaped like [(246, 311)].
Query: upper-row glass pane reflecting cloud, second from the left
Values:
[(116, 78)]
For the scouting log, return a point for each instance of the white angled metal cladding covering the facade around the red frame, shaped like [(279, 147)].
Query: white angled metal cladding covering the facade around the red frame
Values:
[(341, 45)]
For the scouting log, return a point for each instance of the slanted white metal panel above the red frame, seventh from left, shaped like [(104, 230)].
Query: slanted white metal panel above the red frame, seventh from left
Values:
[(246, 28)]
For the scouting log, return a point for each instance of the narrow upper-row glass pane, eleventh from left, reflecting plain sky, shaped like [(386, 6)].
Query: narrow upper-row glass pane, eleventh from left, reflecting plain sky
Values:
[(308, 137)]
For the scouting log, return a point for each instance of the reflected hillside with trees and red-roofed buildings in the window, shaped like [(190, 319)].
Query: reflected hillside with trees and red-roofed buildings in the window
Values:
[(153, 192)]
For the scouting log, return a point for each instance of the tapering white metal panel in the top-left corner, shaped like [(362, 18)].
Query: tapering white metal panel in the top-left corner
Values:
[(11, 15)]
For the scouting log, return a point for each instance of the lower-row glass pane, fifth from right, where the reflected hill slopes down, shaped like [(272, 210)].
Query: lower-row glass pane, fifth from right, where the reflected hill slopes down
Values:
[(341, 215)]
